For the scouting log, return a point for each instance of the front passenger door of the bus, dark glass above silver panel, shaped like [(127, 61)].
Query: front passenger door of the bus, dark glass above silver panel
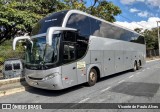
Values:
[(69, 70)]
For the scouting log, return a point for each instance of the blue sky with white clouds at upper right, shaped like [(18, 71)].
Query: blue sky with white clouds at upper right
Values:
[(137, 13)]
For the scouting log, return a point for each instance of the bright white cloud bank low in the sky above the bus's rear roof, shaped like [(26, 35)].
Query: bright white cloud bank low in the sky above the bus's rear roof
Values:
[(149, 24)]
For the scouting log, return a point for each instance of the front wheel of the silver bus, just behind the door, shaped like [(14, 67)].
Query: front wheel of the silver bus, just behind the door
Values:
[(92, 77)]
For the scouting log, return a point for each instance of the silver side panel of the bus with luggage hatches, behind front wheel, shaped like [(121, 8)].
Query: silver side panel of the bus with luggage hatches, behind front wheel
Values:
[(118, 55)]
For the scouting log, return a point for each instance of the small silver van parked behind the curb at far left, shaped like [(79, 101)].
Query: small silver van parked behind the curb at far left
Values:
[(12, 68)]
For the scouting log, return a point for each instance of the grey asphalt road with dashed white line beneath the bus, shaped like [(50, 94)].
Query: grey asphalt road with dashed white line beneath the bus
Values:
[(141, 86)]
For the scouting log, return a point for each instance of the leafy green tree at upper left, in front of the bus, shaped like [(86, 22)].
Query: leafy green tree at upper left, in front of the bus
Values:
[(16, 19)]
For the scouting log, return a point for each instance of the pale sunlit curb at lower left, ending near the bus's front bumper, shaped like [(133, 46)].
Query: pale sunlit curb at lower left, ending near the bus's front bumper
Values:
[(14, 90)]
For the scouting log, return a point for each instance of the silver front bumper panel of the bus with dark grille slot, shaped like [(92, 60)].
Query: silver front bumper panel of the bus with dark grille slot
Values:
[(34, 78)]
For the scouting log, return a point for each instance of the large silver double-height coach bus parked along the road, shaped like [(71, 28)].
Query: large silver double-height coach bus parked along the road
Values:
[(71, 47)]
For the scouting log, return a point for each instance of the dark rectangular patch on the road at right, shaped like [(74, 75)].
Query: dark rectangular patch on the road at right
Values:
[(137, 88)]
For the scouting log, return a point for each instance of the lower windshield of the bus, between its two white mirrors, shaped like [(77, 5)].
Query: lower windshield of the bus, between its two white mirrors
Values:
[(41, 53)]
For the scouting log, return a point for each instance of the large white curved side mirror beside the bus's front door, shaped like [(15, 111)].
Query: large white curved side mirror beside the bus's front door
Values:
[(53, 30)]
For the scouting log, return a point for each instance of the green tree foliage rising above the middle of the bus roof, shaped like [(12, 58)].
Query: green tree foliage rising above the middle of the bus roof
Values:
[(103, 9)]
